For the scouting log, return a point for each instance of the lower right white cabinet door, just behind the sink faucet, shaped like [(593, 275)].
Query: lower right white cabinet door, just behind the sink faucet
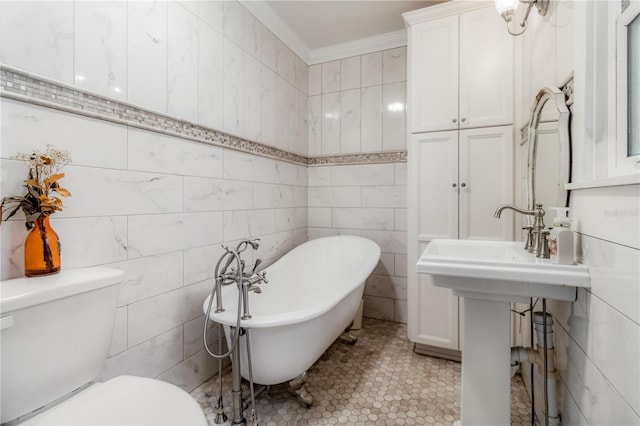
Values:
[(486, 182)]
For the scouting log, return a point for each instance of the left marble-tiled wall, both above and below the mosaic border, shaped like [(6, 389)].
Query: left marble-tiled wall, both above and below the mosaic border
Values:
[(158, 206)]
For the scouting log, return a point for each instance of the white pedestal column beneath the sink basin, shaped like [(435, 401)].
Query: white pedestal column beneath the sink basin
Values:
[(486, 359)]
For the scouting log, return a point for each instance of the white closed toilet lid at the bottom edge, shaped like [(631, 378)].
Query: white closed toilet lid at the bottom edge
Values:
[(125, 400)]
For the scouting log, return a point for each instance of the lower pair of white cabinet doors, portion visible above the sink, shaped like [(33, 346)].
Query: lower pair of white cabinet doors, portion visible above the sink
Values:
[(461, 177)]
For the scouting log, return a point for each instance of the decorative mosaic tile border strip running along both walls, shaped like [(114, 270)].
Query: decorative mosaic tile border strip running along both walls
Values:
[(22, 86)]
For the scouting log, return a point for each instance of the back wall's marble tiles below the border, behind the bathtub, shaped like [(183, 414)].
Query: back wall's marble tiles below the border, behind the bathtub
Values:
[(368, 200)]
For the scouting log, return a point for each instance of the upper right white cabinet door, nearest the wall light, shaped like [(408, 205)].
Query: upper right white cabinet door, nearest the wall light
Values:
[(486, 70)]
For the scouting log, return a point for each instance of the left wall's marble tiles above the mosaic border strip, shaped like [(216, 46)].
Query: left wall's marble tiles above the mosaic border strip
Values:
[(207, 62)]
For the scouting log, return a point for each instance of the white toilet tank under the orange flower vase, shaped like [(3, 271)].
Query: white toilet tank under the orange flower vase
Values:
[(55, 335)]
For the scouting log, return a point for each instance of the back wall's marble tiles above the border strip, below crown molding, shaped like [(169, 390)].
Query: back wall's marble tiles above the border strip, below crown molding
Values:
[(357, 104)]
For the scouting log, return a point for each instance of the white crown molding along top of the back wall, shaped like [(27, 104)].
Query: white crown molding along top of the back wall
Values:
[(358, 47)]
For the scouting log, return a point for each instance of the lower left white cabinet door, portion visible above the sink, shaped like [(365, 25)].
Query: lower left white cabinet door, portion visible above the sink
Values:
[(436, 162)]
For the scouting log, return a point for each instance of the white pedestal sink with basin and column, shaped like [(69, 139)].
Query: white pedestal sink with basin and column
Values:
[(490, 275)]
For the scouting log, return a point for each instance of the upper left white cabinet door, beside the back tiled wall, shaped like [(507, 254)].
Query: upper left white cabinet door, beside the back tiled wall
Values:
[(433, 75)]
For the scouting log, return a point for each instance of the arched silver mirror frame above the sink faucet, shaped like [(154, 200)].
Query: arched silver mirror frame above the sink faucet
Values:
[(556, 96)]
